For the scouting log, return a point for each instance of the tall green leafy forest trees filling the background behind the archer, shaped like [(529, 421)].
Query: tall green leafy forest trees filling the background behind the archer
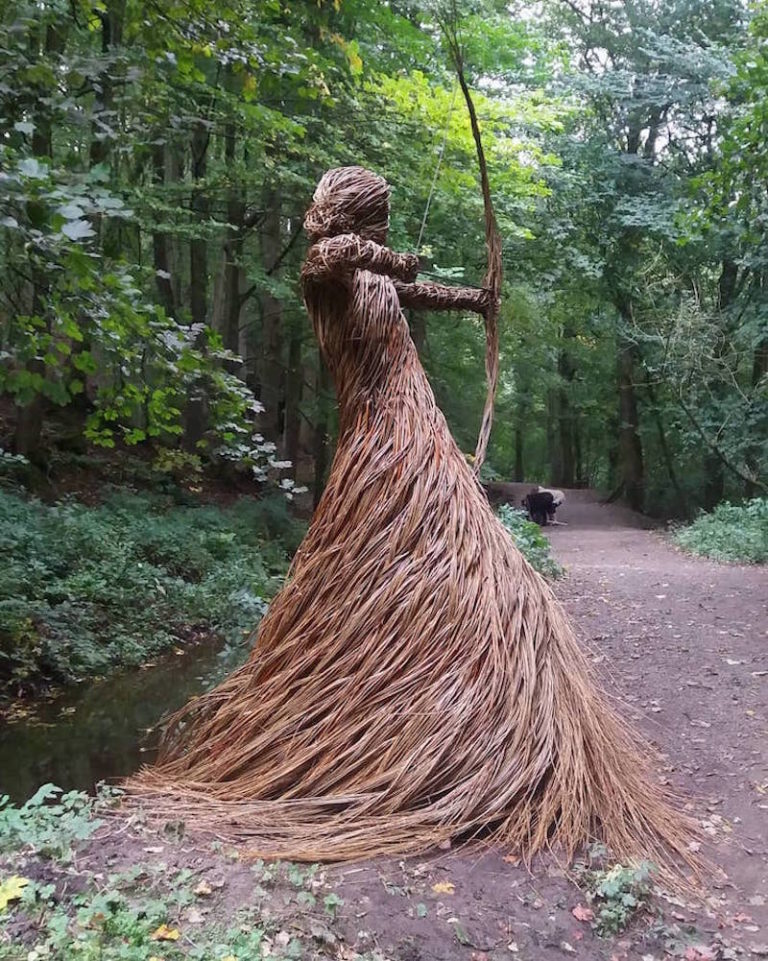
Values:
[(156, 161)]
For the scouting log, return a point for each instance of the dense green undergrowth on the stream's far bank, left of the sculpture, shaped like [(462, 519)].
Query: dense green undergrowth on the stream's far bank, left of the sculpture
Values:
[(86, 589)]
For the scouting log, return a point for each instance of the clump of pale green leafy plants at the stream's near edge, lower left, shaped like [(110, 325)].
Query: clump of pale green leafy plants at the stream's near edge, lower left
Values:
[(46, 827)]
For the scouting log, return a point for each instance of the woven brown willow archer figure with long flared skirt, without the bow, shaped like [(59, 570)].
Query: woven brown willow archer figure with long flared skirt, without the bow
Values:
[(415, 680)]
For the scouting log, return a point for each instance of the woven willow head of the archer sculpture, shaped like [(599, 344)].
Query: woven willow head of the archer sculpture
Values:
[(349, 200)]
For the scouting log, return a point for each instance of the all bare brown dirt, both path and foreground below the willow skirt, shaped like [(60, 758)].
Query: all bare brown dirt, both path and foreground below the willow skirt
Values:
[(684, 643)]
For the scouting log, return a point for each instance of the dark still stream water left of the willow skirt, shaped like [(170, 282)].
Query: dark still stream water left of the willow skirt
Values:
[(102, 729)]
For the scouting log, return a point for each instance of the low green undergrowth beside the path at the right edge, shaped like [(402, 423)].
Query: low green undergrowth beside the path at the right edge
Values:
[(731, 532)]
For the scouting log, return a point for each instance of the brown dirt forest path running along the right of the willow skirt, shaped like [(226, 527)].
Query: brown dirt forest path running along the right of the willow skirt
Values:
[(683, 641)]
